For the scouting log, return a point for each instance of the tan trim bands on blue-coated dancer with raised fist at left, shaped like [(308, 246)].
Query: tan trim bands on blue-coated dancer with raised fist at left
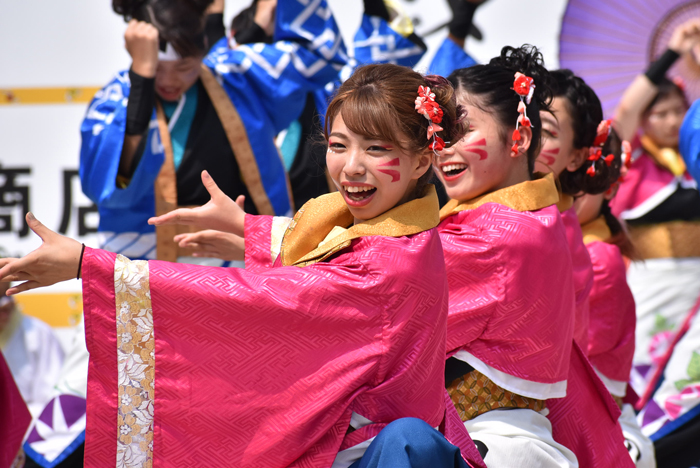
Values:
[(166, 183)]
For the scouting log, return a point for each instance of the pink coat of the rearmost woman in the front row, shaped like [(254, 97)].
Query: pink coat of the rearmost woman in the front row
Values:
[(612, 317)]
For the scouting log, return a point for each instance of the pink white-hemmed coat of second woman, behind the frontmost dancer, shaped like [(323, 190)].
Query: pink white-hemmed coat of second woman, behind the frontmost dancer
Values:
[(511, 296)]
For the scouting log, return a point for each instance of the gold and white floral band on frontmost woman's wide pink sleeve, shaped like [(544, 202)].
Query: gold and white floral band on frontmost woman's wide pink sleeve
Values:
[(136, 357)]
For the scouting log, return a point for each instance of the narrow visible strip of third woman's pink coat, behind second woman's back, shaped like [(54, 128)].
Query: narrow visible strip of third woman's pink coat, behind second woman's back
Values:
[(583, 275)]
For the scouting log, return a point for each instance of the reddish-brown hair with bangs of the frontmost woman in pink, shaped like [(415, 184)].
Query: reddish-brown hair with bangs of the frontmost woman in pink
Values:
[(378, 102)]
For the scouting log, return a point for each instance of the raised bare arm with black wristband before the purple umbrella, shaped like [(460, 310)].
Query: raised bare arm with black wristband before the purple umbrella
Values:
[(644, 87)]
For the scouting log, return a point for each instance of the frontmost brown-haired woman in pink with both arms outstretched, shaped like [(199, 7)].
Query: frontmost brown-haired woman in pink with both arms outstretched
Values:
[(341, 312)]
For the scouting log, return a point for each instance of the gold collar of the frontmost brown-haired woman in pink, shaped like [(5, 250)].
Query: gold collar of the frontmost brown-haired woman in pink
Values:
[(319, 216)]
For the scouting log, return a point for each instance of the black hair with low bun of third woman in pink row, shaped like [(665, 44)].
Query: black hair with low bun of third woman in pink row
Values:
[(586, 112)]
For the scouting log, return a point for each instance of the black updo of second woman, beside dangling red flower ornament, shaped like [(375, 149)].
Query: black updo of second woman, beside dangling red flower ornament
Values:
[(492, 87)]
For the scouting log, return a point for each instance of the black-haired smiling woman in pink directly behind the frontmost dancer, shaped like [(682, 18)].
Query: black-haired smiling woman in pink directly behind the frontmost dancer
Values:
[(498, 232)]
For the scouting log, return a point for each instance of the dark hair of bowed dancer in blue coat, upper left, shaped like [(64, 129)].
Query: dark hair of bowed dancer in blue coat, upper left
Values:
[(180, 23)]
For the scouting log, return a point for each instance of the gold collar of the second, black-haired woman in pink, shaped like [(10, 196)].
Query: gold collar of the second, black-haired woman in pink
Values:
[(526, 196)]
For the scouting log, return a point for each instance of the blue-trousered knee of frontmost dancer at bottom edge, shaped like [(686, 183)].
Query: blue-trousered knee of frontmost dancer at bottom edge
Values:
[(410, 443)]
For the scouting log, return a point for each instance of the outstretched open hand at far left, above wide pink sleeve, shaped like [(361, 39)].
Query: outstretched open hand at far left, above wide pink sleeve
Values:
[(56, 260)]
